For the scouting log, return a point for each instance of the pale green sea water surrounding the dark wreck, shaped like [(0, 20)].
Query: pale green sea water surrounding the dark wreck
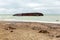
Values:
[(46, 17)]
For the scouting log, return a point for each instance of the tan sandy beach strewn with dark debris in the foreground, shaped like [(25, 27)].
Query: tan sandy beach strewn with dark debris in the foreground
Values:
[(29, 31)]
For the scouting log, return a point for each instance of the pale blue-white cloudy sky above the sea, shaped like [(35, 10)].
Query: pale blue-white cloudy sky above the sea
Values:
[(19, 6)]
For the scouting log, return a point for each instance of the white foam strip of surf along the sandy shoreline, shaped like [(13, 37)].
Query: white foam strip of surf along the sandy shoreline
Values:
[(28, 21)]
